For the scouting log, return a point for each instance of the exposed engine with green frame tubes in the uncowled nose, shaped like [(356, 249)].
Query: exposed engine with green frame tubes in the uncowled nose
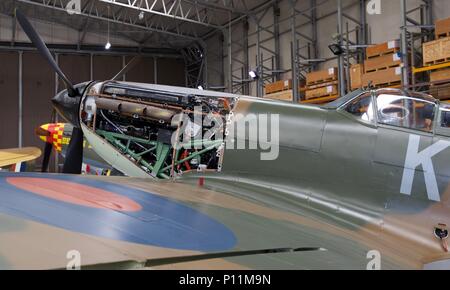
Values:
[(165, 134)]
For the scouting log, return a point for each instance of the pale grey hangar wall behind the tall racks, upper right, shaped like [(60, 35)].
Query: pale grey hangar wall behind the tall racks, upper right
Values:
[(382, 28)]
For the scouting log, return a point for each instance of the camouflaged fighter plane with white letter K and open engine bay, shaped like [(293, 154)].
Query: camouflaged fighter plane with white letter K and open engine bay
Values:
[(359, 183)]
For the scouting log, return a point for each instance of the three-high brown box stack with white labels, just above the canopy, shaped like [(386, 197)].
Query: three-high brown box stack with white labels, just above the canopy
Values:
[(382, 66)]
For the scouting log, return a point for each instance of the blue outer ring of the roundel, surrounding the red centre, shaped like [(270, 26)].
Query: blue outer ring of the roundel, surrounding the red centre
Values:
[(160, 221)]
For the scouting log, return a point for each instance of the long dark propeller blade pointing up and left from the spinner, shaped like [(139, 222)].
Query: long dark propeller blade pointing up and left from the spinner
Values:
[(43, 50)]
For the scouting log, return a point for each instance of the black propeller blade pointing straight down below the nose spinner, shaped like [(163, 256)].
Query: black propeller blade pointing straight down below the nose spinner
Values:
[(74, 154)]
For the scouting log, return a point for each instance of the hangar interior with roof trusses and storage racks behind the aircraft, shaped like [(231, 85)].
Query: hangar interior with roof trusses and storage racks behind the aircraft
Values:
[(240, 46)]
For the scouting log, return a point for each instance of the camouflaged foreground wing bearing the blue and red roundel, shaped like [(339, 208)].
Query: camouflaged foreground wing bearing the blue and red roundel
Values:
[(120, 222)]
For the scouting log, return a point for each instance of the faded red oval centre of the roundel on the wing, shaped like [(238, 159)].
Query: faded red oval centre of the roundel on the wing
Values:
[(75, 193)]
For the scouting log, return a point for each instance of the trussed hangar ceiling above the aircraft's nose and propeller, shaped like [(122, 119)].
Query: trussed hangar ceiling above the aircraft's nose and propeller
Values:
[(149, 23)]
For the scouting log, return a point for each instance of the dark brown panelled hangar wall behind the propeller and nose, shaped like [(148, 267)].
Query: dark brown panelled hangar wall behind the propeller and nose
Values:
[(38, 84)]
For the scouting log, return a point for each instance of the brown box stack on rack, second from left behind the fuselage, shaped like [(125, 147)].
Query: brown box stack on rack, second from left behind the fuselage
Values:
[(322, 84)]
